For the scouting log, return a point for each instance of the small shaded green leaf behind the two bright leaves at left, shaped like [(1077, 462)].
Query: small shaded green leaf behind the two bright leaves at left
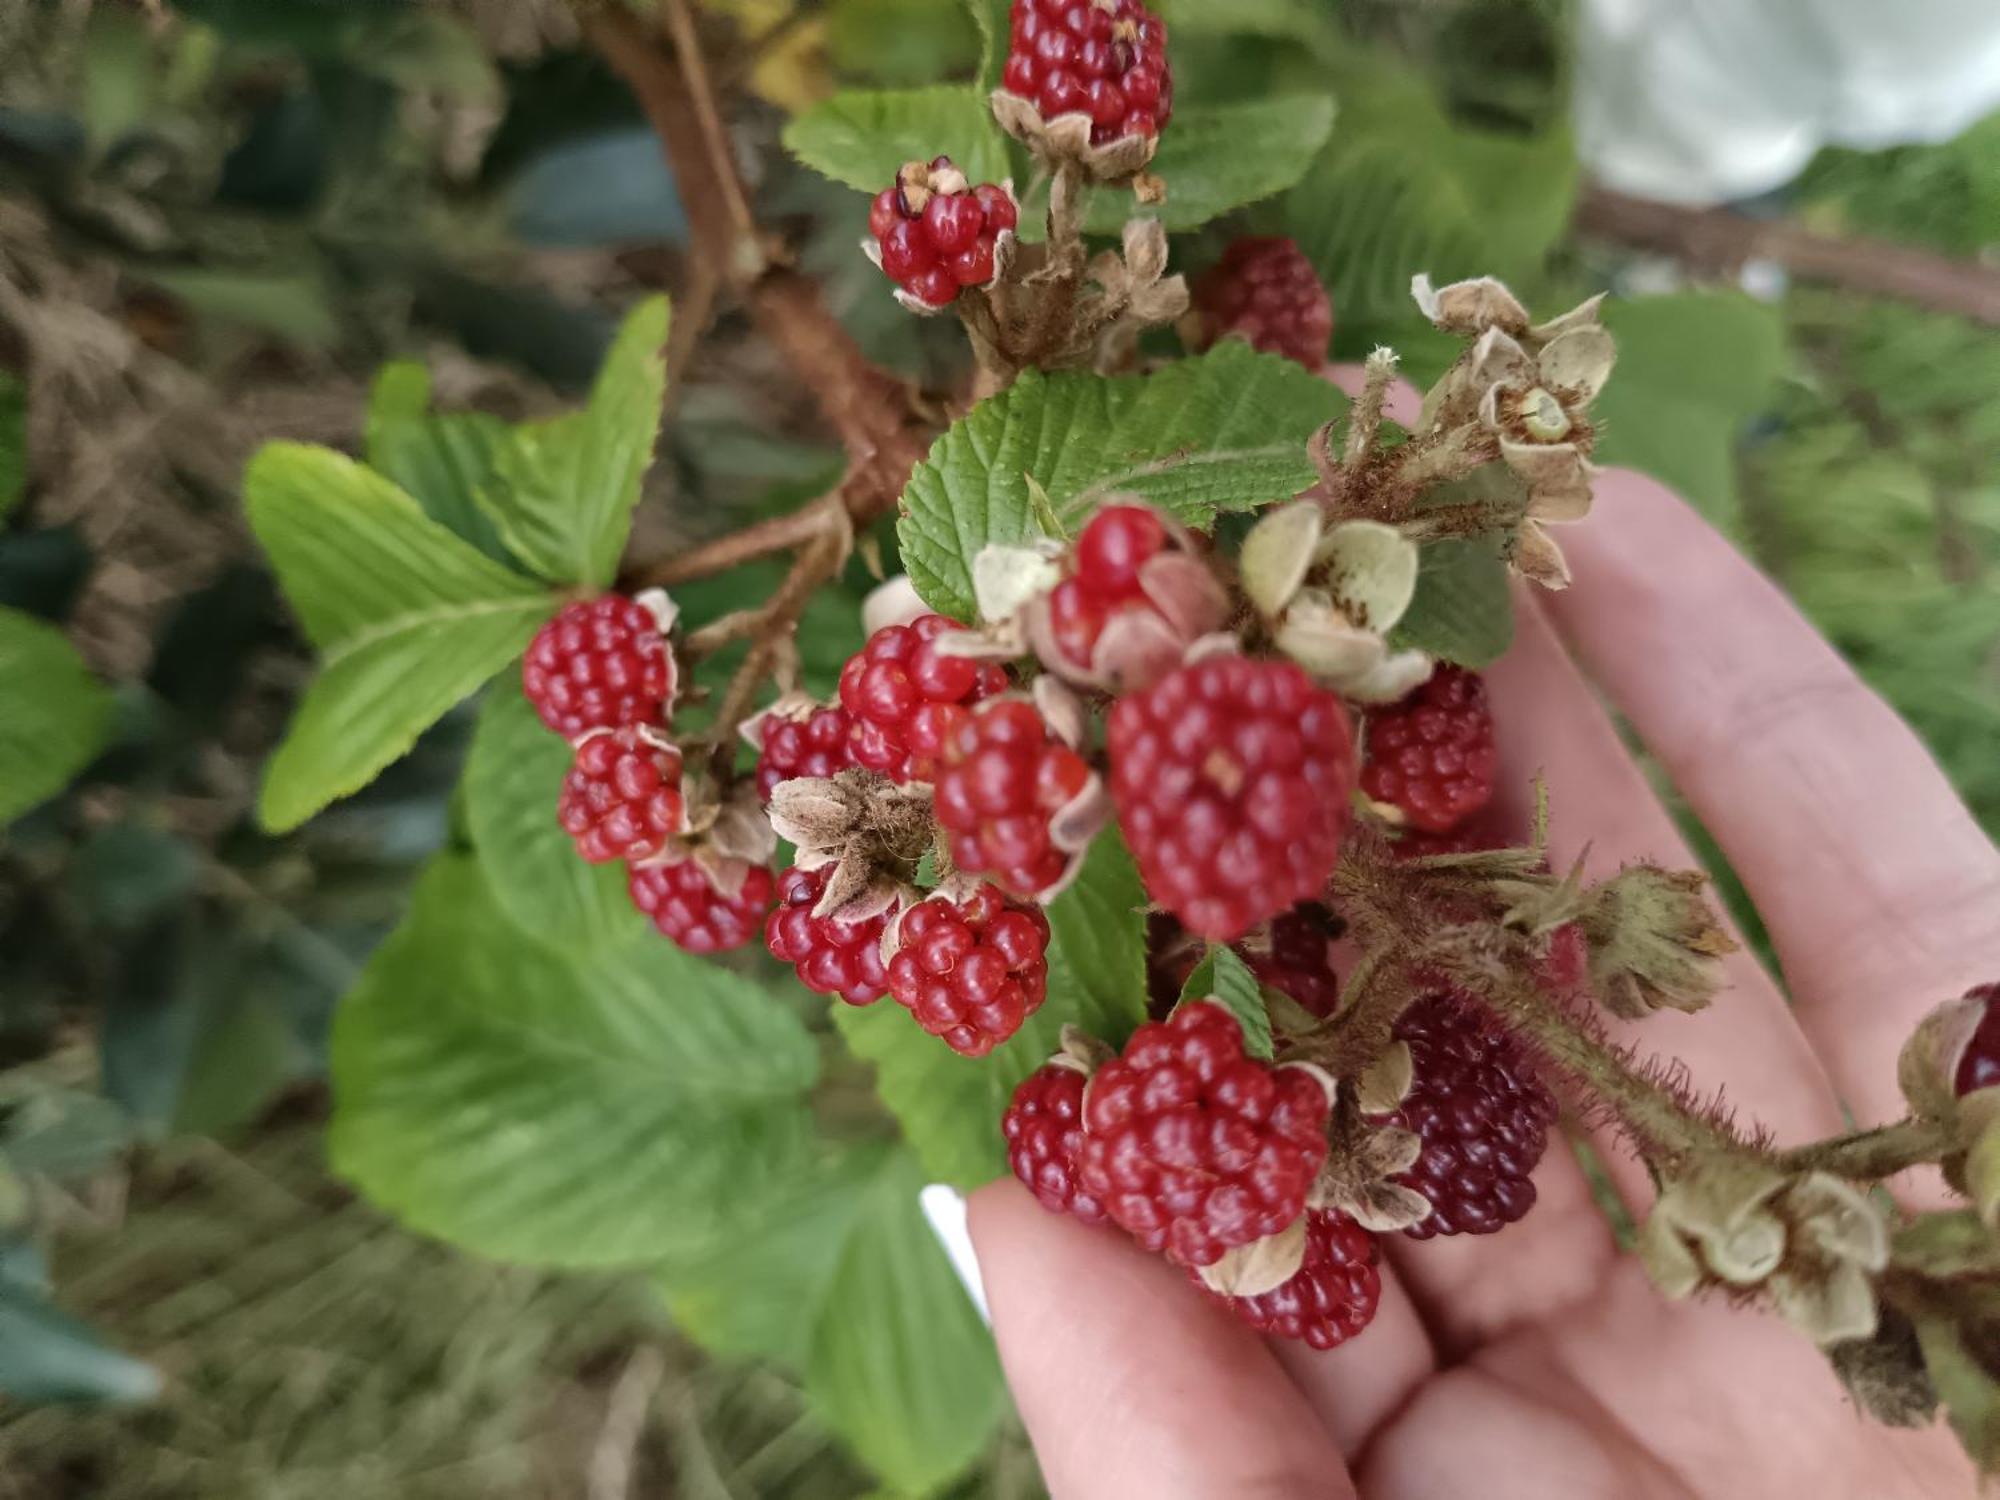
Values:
[(443, 459)]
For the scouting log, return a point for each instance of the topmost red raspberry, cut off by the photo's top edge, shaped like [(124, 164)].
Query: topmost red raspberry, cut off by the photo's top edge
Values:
[(1105, 59)]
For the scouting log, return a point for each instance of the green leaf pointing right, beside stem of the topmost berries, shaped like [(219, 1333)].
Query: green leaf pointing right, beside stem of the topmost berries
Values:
[(1221, 157)]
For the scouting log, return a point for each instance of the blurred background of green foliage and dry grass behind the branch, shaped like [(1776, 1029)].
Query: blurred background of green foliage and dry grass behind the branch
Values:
[(221, 217)]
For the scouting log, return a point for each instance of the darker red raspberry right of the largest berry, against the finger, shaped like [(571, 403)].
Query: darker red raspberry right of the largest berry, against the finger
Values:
[(1433, 755)]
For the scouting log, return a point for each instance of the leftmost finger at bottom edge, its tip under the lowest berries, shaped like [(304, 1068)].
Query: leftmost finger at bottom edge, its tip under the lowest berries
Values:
[(1135, 1385)]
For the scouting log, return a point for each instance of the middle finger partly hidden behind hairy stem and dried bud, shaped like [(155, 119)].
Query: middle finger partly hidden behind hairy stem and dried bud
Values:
[(1745, 1045)]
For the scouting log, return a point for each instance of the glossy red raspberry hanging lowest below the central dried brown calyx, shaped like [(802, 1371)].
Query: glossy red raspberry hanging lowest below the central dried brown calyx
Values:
[(971, 973)]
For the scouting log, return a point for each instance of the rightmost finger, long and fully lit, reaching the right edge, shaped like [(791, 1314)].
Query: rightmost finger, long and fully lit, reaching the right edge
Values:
[(1881, 893)]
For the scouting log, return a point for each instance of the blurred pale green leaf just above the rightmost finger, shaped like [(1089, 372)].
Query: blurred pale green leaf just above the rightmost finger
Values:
[(1693, 369)]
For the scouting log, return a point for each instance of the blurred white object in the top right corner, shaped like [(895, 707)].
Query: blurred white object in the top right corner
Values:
[(1703, 101)]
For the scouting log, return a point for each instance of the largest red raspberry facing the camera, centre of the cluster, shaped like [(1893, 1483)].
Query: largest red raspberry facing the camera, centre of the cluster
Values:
[(1233, 783)]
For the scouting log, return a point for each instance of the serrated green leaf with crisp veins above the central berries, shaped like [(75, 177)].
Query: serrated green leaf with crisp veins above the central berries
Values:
[(1219, 433)]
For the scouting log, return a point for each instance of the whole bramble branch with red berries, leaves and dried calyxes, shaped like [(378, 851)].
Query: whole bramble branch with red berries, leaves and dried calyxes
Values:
[(1175, 841)]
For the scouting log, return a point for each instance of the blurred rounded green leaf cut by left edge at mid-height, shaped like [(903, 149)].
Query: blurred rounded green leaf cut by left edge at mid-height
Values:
[(53, 713)]
